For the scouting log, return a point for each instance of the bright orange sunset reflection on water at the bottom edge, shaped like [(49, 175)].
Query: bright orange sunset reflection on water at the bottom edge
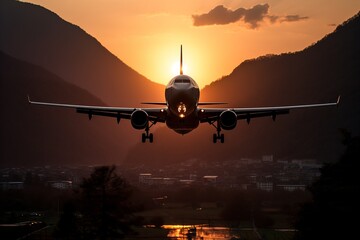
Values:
[(202, 232)]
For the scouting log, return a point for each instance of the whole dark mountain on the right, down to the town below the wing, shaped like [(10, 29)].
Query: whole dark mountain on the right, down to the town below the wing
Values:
[(318, 73)]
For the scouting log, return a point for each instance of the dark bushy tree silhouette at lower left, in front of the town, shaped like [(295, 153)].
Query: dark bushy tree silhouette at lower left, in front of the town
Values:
[(106, 213)]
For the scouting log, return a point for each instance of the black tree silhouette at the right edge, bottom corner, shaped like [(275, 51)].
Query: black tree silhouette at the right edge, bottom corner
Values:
[(334, 211)]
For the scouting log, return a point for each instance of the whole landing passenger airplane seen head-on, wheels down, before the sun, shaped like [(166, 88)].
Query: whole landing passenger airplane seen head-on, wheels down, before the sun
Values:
[(182, 111)]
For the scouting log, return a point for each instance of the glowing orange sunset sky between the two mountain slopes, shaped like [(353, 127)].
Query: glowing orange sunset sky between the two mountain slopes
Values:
[(216, 35)]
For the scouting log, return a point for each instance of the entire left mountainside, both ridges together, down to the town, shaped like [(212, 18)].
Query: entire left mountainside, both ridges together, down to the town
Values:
[(46, 51)]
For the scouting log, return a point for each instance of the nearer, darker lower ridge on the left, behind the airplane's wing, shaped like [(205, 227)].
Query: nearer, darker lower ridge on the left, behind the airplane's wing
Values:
[(33, 135)]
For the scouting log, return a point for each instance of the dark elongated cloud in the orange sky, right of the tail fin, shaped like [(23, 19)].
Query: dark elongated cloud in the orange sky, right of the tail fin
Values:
[(221, 15)]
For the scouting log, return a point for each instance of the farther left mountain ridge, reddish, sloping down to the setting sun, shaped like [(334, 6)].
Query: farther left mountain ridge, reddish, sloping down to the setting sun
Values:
[(39, 36)]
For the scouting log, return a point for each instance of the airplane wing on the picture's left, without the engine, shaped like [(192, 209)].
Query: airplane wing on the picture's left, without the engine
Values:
[(154, 114)]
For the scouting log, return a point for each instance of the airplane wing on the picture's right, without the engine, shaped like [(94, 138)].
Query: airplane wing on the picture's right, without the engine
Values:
[(211, 115)]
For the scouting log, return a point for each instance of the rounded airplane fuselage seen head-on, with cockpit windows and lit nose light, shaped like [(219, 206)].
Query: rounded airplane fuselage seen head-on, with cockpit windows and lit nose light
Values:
[(182, 96)]
